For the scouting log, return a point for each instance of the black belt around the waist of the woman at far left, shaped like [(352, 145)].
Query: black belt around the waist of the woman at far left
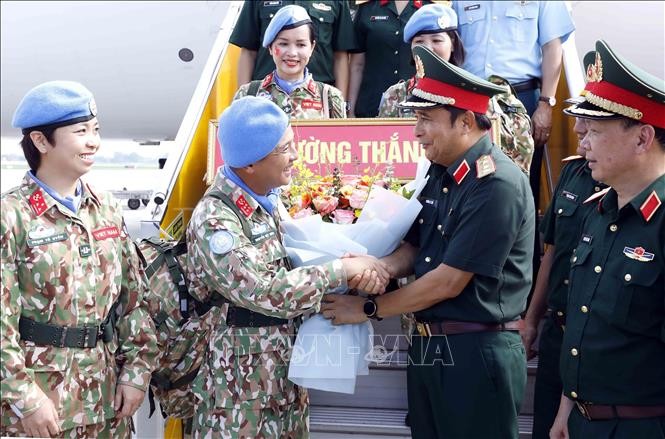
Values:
[(85, 336)]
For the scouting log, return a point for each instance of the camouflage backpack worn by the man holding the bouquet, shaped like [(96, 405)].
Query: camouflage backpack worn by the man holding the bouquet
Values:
[(183, 323)]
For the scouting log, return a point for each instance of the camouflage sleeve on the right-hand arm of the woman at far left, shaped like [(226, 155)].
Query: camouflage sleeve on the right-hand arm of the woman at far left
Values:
[(137, 340)]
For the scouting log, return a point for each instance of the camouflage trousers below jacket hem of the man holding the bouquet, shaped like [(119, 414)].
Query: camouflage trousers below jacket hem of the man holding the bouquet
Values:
[(278, 422)]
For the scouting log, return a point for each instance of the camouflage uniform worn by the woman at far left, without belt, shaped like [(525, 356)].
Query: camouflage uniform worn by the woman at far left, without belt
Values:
[(69, 269)]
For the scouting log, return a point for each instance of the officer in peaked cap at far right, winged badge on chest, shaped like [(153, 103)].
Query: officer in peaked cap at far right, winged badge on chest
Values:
[(613, 348)]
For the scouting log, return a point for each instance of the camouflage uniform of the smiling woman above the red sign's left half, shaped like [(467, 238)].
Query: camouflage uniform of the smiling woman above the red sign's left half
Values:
[(304, 102)]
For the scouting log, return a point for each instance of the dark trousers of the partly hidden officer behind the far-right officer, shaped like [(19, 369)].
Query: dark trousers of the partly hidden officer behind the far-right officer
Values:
[(548, 380)]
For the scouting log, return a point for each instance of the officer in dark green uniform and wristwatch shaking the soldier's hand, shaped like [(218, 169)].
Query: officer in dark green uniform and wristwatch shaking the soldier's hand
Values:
[(471, 251)]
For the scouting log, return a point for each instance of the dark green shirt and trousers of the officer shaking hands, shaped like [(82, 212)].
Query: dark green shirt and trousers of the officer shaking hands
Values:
[(477, 220)]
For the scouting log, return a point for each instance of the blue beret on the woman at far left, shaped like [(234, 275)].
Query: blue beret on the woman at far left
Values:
[(54, 104)]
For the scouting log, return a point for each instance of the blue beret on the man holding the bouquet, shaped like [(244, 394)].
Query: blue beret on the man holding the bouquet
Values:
[(249, 129)]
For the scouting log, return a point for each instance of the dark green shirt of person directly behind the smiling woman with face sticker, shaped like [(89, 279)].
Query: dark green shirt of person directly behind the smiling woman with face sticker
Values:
[(334, 28)]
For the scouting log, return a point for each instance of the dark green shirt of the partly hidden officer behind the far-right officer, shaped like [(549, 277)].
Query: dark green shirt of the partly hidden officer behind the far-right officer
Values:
[(562, 223)]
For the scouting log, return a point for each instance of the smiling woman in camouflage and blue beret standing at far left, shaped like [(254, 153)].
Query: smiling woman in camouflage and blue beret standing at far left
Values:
[(67, 261)]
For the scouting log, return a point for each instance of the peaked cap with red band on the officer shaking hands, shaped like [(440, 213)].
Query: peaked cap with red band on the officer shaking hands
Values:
[(441, 83)]
